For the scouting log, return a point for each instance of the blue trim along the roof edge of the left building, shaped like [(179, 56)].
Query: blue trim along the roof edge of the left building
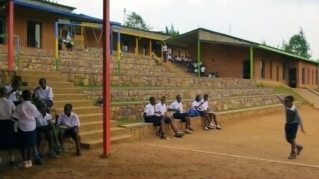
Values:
[(67, 14)]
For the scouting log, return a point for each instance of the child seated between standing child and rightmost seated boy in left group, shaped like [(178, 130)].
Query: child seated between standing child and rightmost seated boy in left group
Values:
[(45, 131)]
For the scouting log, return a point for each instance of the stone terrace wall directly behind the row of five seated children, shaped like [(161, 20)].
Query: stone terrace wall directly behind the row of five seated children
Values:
[(134, 110)]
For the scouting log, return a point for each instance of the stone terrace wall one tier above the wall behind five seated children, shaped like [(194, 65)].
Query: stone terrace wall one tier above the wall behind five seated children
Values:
[(145, 94)]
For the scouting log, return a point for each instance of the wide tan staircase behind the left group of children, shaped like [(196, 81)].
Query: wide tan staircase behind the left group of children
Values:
[(89, 114)]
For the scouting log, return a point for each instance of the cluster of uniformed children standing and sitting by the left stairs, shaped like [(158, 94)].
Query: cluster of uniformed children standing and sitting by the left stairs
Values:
[(27, 124)]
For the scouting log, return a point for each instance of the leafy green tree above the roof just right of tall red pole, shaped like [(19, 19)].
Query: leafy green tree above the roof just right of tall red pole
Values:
[(136, 21)]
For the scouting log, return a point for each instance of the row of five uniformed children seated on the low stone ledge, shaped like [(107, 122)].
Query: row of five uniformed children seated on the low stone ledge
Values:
[(156, 113)]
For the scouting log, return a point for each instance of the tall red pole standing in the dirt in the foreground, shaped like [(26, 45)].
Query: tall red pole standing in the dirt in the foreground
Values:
[(106, 78)]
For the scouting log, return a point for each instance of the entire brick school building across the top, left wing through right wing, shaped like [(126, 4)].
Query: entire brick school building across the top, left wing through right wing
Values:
[(34, 23)]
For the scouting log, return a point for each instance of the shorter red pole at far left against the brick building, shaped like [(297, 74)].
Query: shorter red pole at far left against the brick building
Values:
[(10, 34)]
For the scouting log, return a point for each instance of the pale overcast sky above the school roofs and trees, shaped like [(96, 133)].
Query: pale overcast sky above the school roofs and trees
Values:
[(254, 20)]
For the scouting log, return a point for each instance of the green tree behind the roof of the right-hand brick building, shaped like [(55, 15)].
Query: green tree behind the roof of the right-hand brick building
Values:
[(298, 45)]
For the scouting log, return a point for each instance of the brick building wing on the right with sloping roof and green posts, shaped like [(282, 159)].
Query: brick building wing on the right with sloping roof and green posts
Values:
[(233, 57)]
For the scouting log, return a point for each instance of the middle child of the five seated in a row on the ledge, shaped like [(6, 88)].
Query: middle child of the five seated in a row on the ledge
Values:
[(177, 108)]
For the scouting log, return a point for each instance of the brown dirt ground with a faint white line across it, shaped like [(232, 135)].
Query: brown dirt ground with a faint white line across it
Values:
[(202, 157)]
